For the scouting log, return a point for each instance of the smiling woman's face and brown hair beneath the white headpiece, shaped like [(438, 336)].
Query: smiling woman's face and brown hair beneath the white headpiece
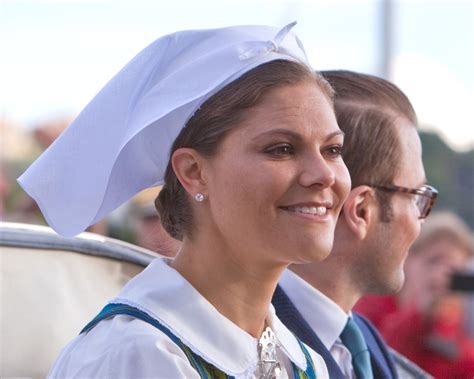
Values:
[(279, 158)]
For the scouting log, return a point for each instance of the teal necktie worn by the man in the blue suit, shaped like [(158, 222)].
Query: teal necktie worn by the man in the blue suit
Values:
[(353, 339)]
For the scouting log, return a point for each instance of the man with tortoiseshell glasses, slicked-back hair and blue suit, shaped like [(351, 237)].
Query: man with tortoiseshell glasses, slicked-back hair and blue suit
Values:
[(379, 222)]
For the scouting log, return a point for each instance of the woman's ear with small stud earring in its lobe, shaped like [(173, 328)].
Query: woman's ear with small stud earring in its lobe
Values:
[(187, 164)]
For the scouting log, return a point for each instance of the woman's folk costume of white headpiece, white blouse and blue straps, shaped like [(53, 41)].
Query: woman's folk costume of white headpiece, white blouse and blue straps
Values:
[(159, 326)]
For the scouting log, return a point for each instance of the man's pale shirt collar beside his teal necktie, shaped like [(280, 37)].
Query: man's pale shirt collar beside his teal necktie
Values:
[(324, 316)]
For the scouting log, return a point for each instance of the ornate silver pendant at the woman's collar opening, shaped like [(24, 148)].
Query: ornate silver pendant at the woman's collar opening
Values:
[(268, 366)]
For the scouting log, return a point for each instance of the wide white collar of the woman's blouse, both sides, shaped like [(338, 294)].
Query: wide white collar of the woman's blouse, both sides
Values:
[(165, 295)]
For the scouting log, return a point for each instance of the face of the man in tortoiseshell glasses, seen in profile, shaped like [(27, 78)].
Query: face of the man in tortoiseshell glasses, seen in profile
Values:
[(389, 242)]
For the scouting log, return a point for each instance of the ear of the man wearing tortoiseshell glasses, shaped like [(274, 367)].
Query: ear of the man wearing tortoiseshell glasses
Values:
[(360, 210)]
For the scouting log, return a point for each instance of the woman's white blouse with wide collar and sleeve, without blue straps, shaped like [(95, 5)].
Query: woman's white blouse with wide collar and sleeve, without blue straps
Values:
[(125, 347)]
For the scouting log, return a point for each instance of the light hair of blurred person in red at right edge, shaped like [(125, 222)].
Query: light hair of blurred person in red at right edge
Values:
[(444, 226)]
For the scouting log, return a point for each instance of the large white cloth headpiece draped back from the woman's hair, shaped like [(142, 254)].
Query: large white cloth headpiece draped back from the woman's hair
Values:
[(120, 143)]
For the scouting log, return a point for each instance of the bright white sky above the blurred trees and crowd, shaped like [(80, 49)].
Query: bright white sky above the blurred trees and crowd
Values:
[(57, 54)]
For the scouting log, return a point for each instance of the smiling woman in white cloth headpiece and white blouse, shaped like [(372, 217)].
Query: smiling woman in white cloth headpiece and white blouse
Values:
[(244, 137)]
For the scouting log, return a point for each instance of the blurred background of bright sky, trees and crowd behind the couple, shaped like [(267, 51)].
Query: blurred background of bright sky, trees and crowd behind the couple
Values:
[(57, 54)]
